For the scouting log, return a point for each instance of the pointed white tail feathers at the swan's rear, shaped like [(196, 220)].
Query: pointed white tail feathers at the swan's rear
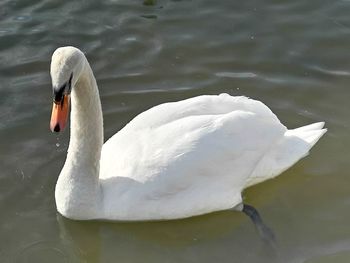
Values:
[(295, 145)]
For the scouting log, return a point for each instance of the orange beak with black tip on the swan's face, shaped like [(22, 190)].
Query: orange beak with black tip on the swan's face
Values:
[(59, 115)]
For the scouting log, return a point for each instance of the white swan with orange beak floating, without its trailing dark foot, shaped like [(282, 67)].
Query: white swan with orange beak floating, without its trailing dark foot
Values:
[(174, 160)]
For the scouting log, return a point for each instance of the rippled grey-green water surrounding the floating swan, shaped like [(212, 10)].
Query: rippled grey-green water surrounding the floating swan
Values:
[(294, 56)]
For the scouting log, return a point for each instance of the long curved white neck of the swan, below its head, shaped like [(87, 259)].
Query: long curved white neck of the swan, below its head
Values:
[(78, 190)]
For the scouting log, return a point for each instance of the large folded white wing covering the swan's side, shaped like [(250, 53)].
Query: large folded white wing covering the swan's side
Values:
[(200, 161)]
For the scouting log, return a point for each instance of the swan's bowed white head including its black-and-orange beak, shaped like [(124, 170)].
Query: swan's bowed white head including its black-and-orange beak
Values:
[(67, 63)]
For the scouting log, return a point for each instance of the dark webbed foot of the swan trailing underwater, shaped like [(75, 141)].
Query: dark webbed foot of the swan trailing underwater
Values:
[(264, 231)]
